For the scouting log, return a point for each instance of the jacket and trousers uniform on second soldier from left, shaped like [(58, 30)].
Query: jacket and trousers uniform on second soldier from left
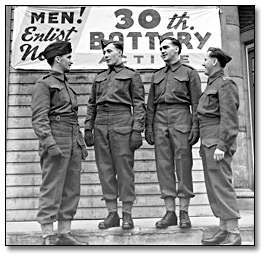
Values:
[(115, 92)]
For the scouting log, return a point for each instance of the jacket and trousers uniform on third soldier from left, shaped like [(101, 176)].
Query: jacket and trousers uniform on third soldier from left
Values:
[(173, 90)]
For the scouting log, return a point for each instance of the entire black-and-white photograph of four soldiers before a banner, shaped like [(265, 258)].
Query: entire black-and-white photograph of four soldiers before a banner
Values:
[(130, 125)]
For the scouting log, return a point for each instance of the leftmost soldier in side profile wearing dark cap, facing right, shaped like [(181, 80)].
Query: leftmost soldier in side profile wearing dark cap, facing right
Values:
[(61, 146)]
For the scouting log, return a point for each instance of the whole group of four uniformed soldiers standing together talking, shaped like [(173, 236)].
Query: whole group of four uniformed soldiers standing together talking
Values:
[(114, 122)]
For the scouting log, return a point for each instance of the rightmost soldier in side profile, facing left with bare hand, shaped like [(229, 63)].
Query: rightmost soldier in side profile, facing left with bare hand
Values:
[(218, 122)]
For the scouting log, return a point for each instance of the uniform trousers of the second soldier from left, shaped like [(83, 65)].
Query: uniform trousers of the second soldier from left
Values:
[(114, 158)]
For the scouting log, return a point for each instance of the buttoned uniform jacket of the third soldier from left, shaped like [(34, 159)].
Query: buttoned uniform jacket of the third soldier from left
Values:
[(175, 84)]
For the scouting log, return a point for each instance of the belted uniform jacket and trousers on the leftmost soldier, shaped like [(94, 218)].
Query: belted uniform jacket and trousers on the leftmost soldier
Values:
[(55, 122)]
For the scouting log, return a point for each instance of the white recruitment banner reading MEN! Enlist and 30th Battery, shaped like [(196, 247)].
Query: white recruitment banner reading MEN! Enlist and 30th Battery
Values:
[(35, 27)]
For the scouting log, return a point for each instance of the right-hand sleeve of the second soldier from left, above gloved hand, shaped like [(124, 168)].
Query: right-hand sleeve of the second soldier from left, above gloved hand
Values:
[(137, 92)]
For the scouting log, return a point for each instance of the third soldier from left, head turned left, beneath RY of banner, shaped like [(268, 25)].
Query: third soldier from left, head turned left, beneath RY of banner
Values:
[(173, 129)]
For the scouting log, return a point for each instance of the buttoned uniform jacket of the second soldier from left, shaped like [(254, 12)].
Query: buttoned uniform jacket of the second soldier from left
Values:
[(119, 85)]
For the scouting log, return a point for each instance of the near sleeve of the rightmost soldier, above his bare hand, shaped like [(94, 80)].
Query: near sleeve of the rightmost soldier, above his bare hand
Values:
[(229, 103)]
